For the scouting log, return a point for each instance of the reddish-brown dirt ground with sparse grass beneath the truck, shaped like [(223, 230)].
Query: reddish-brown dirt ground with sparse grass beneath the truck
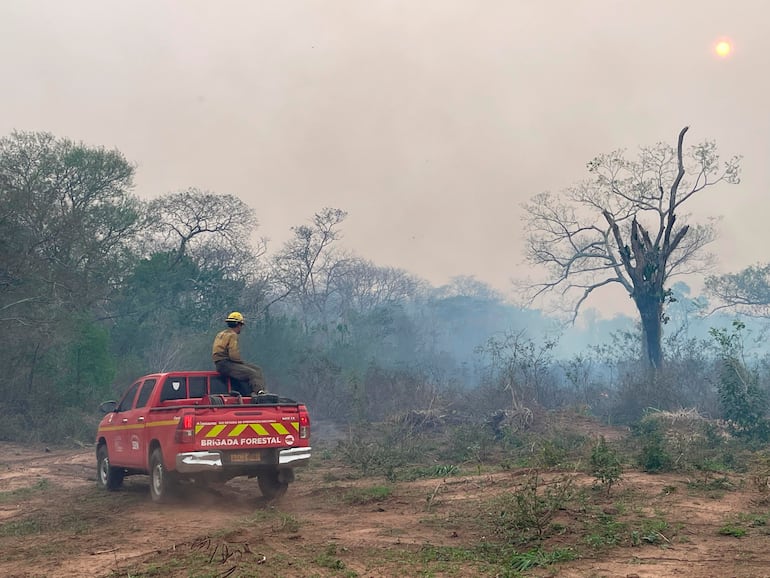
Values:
[(54, 521)]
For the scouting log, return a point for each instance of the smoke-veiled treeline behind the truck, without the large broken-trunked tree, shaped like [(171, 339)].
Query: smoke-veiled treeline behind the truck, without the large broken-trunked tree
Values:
[(98, 287)]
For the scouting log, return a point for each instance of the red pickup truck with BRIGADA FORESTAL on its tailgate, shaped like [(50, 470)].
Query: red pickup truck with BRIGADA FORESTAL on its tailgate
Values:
[(194, 427)]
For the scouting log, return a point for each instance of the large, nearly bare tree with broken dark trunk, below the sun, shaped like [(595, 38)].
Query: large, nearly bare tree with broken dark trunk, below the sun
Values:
[(624, 226)]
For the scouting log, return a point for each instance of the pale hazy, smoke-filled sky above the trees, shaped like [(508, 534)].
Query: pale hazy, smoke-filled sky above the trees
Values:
[(429, 121)]
